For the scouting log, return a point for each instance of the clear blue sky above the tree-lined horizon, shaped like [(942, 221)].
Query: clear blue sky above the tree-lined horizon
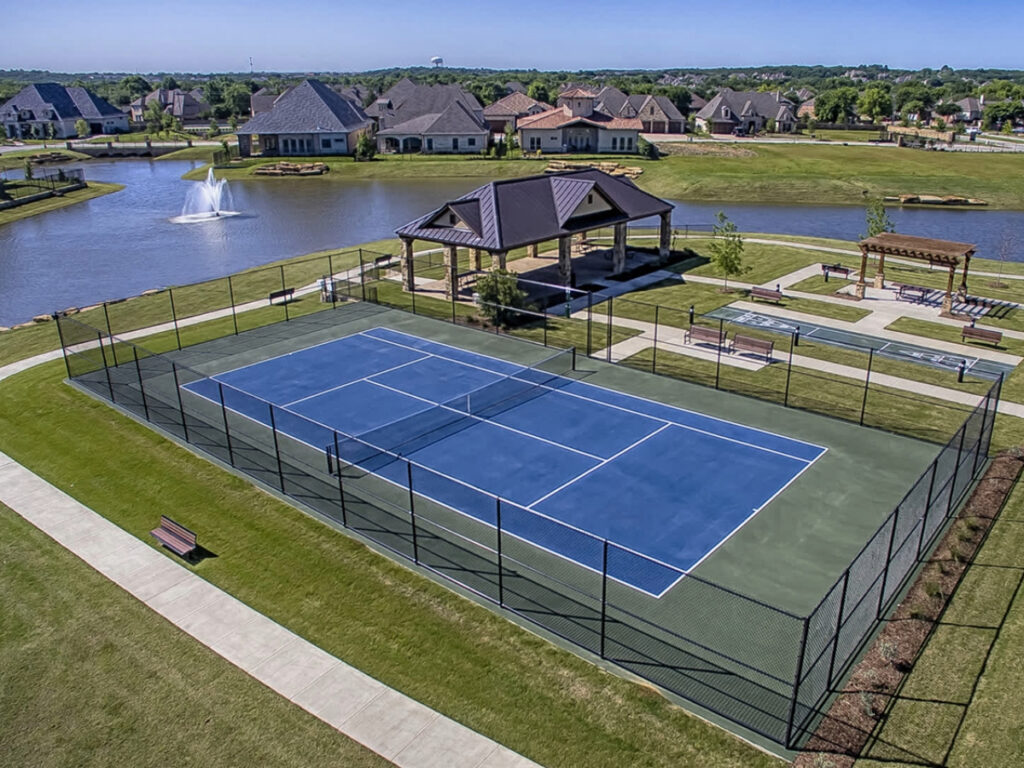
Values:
[(320, 35)]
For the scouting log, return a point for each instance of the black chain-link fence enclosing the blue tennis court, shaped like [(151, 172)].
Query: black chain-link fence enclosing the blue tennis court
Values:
[(756, 665)]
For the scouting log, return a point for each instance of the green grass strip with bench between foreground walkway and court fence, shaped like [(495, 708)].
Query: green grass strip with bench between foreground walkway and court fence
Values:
[(385, 619)]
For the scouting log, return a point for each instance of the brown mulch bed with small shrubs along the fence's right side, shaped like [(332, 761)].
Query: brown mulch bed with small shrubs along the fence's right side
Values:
[(857, 713)]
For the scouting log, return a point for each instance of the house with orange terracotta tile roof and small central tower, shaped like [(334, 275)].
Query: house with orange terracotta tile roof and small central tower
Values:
[(578, 125)]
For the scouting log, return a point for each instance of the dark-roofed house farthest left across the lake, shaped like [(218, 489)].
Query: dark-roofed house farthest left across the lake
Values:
[(47, 110)]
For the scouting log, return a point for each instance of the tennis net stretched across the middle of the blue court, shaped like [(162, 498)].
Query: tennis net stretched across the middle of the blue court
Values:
[(407, 436)]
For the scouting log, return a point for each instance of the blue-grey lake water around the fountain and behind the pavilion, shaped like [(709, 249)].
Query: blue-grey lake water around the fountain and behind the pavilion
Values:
[(122, 244)]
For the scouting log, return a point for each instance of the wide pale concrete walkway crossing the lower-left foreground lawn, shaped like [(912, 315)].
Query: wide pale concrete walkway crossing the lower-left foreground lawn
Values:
[(386, 721)]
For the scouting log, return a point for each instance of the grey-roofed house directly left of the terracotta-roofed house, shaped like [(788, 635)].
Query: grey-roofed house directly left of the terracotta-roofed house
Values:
[(431, 119)]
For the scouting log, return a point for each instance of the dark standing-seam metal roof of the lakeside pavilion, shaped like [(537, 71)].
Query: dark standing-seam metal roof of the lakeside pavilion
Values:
[(513, 214)]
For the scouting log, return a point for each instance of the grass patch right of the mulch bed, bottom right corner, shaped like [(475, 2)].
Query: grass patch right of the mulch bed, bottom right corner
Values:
[(961, 705)]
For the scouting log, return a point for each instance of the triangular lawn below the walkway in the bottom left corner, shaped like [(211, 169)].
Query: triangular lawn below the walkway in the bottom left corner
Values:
[(93, 677)]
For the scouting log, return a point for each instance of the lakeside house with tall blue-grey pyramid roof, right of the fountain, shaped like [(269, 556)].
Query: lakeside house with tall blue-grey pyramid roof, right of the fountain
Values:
[(308, 120)]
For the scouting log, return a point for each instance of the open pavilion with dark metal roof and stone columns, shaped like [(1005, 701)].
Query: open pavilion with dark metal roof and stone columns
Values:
[(524, 212)]
